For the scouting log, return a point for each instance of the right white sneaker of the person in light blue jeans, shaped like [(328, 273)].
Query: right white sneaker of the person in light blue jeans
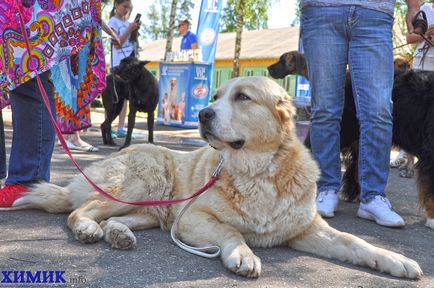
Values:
[(380, 210)]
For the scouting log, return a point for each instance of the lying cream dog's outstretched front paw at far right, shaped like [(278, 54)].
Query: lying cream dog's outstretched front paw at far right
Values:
[(396, 264)]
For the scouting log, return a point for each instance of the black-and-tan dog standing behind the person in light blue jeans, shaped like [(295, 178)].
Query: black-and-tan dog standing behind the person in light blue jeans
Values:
[(413, 126)]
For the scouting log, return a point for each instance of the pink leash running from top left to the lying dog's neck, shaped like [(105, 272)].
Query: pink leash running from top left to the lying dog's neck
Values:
[(211, 182)]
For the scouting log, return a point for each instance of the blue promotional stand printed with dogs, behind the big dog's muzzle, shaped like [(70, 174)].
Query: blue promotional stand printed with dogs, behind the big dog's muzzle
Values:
[(184, 91)]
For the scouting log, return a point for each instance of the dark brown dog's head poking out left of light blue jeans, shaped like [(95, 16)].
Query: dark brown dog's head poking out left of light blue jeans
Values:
[(289, 63)]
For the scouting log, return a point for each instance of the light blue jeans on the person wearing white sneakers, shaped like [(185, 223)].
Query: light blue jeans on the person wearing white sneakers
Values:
[(362, 38)]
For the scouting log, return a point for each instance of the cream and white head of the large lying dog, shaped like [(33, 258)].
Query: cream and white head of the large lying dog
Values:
[(250, 114)]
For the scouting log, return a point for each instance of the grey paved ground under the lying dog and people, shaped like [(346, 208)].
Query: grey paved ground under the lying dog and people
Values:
[(35, 241)]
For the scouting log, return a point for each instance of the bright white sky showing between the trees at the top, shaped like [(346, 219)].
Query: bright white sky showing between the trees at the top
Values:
[(282, 13)]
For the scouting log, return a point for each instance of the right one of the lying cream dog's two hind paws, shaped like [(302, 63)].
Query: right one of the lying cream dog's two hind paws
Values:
[(118, 235)]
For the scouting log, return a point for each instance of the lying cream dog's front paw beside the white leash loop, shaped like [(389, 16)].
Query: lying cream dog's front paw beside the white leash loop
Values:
[(241, 260)]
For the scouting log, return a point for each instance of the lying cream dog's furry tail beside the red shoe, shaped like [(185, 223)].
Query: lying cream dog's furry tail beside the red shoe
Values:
[(46, 196)]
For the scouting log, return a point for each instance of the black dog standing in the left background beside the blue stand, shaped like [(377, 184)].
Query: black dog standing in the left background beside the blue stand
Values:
[(135, 83)]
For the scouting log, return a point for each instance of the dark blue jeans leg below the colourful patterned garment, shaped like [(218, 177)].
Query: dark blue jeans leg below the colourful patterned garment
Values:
[(33, 133)]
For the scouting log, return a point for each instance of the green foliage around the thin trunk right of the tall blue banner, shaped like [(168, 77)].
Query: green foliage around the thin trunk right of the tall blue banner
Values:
[(255, 15)]
